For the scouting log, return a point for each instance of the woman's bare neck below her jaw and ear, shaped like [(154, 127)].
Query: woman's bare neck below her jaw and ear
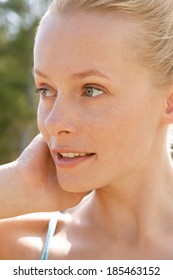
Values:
[(140, 205)]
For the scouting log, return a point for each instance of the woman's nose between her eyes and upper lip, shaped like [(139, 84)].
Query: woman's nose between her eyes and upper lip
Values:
[(61, 119)]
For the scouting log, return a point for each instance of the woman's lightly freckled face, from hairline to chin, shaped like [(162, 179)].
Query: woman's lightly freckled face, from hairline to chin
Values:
[(98, 112)]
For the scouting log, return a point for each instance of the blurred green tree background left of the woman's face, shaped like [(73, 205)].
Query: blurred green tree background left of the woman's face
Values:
[(18, 21)]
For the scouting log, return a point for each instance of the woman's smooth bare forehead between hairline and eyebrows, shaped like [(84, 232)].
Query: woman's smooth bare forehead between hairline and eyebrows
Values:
[(73, 41)]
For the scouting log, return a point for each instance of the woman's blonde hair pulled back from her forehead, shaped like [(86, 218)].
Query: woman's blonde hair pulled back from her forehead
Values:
[(152, 22)]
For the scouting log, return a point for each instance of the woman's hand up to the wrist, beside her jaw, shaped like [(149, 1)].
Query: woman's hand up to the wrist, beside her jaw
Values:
[(38, 173)]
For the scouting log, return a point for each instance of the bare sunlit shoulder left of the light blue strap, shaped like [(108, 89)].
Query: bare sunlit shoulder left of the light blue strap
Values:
[(22, 237)]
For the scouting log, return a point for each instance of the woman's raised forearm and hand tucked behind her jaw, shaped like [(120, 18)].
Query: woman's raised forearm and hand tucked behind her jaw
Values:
[(32, 185)]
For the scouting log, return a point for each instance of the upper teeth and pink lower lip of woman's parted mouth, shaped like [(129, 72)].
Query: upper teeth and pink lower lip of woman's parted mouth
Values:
[(70, 159)]
